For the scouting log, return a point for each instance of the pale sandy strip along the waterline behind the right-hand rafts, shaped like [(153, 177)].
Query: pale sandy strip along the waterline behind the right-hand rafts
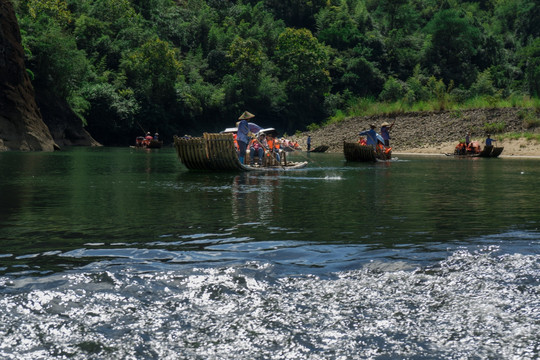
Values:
[(521, 147)]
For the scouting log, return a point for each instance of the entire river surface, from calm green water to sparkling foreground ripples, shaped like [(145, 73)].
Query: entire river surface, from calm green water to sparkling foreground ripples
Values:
[(111, 253)]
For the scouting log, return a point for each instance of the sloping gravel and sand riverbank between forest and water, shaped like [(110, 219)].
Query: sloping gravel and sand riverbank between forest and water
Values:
[(432, 132)]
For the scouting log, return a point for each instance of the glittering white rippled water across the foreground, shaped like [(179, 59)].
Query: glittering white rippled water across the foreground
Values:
[(471, 305)]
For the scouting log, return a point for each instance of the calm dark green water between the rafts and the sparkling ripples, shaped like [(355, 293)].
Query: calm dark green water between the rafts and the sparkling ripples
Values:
[(123, 203)]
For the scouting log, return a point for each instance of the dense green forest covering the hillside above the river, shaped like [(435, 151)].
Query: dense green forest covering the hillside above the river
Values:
[(190, 66)]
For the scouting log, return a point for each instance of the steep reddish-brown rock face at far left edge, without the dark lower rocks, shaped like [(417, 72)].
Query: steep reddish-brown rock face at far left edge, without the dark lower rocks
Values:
[(21, 124)]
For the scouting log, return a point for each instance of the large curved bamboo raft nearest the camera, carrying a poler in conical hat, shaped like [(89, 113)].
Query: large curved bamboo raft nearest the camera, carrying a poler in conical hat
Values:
[(217, 152)]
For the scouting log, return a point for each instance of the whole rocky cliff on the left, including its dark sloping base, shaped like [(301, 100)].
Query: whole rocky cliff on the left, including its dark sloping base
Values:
[(24, 123)]
